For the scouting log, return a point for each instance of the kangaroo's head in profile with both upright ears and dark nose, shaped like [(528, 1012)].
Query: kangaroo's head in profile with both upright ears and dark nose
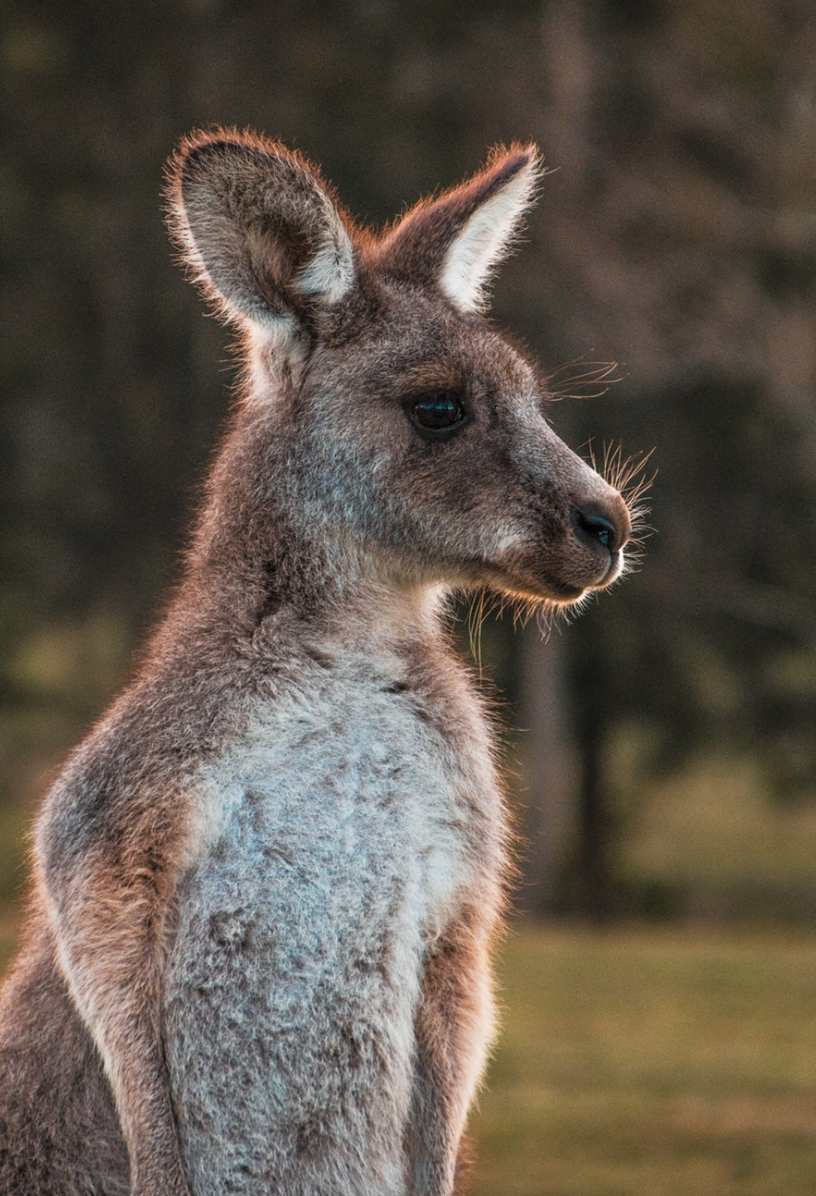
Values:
[(388, 417)]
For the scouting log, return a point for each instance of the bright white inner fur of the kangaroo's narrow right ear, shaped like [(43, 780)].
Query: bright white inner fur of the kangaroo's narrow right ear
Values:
[(485, 240)]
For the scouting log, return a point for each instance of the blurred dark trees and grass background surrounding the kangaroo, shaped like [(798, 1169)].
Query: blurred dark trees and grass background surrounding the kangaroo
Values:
[(661, 749)]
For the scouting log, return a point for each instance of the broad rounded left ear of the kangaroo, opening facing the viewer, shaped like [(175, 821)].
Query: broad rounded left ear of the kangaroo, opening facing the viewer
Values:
[(259, 229)]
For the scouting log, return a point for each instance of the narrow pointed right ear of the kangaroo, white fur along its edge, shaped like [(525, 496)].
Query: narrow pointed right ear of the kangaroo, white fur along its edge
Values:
[(458, 240)]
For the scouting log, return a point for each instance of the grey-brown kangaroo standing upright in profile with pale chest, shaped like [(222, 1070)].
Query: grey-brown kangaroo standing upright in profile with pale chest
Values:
[(267, 886)]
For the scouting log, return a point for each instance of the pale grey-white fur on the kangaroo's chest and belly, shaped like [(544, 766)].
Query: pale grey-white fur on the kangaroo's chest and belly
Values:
[(345, 832)]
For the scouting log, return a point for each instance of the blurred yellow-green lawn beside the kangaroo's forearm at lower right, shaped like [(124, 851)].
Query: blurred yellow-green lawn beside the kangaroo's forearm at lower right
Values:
[(653, 1063)]
